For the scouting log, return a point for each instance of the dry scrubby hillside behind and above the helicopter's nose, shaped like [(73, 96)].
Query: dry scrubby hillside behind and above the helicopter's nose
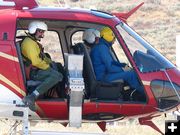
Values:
[(157, 20)]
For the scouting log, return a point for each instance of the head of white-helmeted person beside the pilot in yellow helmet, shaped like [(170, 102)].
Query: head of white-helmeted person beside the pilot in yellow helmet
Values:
[(91, 37)]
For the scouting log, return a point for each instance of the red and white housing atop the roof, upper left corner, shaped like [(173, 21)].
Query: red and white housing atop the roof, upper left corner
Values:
[(19, 4)]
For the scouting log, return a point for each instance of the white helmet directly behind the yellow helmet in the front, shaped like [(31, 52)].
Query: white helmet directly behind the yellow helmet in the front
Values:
[(90, 35)]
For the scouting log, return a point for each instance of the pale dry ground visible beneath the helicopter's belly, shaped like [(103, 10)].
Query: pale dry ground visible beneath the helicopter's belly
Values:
[(128, 127)]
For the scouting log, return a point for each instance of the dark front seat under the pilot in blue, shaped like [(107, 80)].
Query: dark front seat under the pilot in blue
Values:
[(97, 89)]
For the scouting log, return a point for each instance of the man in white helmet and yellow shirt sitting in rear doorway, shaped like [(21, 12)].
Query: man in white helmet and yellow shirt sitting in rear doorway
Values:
[(40, 64)]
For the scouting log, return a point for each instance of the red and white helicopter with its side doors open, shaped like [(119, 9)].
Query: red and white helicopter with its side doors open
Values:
[(84, 103)]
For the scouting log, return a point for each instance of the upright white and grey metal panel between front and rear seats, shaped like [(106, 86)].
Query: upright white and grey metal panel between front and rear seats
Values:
[(76, 85)]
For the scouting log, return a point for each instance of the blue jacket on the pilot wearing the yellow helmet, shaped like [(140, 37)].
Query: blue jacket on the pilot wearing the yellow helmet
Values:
[(102, 60)]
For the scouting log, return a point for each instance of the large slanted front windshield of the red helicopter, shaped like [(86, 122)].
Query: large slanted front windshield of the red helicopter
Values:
[(147, 59)]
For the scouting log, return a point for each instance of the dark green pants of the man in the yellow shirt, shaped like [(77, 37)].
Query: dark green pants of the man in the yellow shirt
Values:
[(48, 77)]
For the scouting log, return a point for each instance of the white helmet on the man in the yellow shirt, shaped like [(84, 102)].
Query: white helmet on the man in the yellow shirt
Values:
[(33, 26)]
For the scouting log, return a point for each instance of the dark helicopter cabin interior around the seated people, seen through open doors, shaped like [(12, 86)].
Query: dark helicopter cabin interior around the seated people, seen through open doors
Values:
[(65, 37)]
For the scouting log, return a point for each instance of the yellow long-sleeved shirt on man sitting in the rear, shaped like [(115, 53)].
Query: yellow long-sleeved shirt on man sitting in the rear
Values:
[(31, 50)]
